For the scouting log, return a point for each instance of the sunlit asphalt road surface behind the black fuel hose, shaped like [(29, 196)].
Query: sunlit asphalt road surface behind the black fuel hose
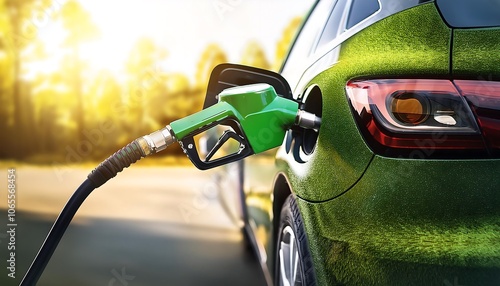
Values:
[(148, 226)]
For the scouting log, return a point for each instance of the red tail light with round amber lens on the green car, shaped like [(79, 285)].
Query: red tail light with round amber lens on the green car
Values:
[(423, 118)]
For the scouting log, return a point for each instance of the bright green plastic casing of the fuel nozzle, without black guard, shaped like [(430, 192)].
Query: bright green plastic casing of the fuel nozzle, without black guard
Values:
[(263, 116)]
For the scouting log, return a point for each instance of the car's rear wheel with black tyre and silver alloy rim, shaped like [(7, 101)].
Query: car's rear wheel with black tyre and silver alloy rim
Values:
[(291, 245)]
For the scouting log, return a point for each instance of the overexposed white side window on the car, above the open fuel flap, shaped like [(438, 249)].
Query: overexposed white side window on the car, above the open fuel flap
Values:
[(297, 59)]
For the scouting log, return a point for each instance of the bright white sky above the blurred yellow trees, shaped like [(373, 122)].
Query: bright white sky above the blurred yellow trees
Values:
[(183, 27)]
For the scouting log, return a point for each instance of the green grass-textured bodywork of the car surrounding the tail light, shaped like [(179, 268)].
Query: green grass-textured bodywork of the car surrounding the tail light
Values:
[(390, 220)]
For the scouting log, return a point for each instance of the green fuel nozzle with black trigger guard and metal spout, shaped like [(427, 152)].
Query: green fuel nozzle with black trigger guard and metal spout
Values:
[(258, 119)]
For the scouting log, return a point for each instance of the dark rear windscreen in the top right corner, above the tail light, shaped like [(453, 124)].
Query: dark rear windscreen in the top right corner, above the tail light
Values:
[(470, 14)]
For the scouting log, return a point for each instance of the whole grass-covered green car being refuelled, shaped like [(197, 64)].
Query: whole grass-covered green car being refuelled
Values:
[(401, 184)]
